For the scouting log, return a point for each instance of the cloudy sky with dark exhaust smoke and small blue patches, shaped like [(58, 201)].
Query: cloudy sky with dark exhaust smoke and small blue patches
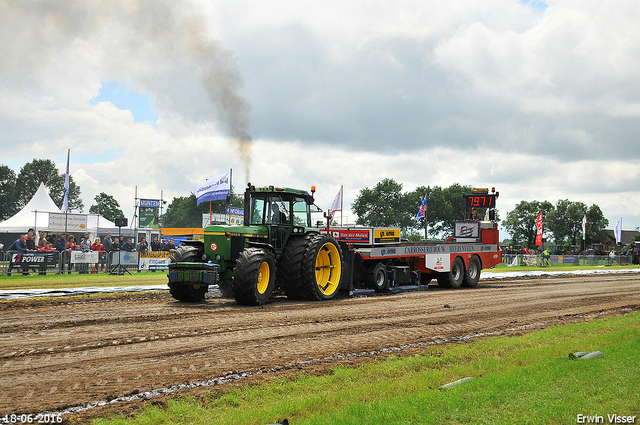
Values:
[(539, 99)]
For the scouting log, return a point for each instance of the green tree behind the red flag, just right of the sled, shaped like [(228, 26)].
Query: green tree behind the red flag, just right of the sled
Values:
[(521, 222)]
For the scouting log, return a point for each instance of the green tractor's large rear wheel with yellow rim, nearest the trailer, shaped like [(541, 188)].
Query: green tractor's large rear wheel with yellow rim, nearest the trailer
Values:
[(321, 268)]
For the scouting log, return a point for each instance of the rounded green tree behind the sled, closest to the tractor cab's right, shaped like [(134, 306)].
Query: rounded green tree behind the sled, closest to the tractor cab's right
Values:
[(385, 205)]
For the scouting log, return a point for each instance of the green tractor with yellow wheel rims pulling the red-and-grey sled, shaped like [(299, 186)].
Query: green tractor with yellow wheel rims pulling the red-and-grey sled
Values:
[(276, 249)]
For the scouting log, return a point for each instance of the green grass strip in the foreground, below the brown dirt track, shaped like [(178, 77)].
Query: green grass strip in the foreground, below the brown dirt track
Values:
[(526, 379)]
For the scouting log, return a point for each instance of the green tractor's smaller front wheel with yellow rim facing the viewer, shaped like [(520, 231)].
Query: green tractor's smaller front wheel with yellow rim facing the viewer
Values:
[(254, 277)]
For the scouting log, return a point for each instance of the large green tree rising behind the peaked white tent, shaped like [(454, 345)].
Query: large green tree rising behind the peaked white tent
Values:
[(45, 171)]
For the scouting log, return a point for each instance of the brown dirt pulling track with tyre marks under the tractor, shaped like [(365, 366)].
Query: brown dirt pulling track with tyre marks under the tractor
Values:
[(57, 353)]
